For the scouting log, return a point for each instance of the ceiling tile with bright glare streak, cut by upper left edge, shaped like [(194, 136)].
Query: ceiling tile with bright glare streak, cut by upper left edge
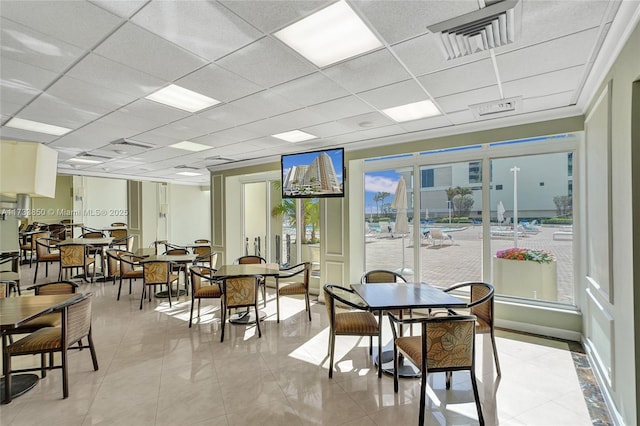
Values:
[(30, 47)]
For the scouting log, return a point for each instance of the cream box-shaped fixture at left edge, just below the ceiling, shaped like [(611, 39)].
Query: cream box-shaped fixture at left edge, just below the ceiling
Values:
[(28, 170)]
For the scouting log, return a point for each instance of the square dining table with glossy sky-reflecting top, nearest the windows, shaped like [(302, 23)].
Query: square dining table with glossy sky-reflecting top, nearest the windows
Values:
[(381, 297)]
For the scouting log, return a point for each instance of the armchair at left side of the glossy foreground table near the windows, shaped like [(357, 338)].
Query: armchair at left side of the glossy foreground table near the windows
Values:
[(355, 321)]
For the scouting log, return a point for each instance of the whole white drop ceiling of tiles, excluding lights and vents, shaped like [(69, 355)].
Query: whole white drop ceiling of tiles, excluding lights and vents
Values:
[(88, 66)]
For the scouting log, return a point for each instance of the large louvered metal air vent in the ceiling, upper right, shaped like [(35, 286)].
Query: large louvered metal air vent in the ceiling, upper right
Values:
[(489, 27)]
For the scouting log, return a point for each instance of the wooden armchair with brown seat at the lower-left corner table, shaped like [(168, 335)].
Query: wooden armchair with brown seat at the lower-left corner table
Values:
[(76, 325)]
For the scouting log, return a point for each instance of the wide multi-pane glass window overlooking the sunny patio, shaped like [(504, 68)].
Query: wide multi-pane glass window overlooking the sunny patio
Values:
[(501, 212)]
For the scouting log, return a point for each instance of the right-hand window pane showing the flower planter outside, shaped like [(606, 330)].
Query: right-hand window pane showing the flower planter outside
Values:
[(532, 227)]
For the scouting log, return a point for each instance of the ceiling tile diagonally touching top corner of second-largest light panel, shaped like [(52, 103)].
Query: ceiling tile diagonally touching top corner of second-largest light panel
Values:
[(137, 48)]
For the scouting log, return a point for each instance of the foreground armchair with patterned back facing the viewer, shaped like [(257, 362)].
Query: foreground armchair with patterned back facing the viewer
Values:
[(446, 344)]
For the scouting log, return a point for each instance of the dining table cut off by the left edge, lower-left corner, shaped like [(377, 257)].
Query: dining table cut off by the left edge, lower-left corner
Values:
[(15, 311)]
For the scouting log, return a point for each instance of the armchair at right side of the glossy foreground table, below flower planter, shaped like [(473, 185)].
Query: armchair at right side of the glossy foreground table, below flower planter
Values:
[(481, 301)]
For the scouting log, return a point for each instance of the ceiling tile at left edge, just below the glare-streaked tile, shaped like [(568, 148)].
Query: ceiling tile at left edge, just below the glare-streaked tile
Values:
[(19, 83)]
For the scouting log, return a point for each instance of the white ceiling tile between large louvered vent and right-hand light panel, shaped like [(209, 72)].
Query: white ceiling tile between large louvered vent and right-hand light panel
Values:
[(460, 79)]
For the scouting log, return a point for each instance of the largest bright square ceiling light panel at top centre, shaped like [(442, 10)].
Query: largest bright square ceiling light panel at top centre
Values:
[(330, 35)]
